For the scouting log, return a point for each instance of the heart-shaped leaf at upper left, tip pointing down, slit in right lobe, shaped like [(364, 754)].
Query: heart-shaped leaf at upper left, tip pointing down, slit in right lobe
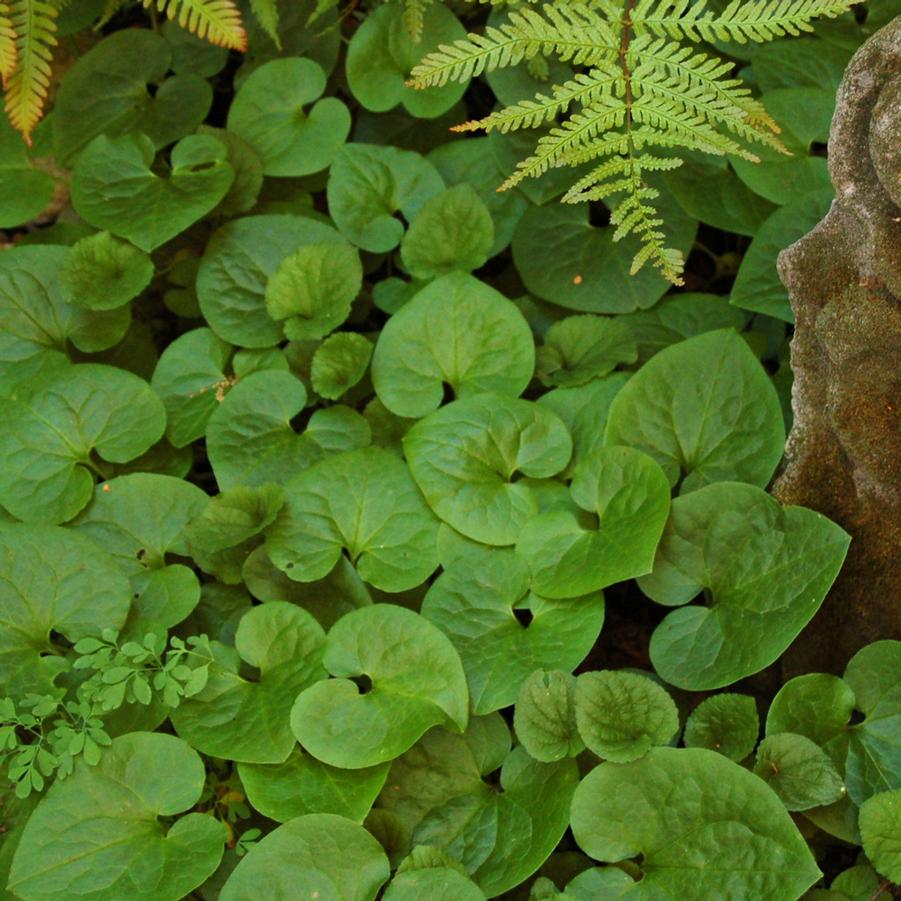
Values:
[(114, 187)]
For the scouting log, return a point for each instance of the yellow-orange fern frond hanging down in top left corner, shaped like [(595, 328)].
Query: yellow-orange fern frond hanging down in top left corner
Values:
[(34, 23)]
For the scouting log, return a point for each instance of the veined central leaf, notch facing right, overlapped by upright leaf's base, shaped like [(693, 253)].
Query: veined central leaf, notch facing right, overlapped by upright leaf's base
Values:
[(465, 456)]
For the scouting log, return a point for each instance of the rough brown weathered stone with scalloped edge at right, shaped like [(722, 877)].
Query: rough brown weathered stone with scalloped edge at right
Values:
[(843, 456)]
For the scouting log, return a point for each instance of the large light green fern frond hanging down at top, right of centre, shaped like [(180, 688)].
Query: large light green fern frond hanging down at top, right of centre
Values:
[(645, 87)]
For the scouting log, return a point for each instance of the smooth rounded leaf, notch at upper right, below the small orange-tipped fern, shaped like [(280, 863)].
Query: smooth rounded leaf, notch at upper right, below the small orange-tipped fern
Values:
[(269, 113)]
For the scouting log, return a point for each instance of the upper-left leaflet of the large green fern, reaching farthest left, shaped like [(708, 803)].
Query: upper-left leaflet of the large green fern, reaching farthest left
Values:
[(574, 34)]
